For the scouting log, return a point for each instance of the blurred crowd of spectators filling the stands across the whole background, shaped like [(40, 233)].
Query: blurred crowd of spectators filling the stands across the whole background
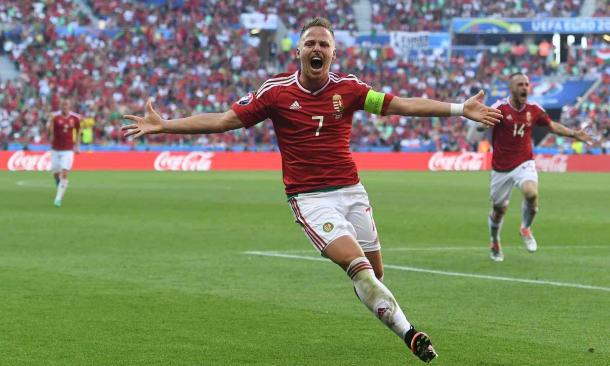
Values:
[(193, 57)]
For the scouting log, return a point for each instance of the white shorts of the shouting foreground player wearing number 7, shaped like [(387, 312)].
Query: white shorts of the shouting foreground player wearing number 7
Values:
[(326, 216)]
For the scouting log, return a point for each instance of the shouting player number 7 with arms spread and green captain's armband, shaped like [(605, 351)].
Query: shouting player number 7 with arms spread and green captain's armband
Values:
[(312, 111)]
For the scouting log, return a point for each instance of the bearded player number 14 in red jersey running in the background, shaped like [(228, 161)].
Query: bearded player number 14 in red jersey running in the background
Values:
[(512, 160)]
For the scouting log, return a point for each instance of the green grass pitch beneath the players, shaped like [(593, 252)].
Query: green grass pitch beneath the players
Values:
[(150, 269)]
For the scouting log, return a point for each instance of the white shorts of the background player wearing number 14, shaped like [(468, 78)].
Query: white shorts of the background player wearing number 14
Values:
[(502, 183)]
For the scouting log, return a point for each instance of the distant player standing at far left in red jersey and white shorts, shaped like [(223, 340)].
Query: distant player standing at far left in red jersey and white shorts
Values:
[(61, 131)]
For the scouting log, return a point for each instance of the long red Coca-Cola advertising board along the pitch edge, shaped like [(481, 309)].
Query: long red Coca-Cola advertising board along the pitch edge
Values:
[(205, 161)]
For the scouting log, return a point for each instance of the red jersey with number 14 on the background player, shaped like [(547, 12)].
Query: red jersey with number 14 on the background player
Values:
[(512, 137)]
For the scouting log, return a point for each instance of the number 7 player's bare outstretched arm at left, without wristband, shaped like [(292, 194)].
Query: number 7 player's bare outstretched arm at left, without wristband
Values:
[(206, 123)]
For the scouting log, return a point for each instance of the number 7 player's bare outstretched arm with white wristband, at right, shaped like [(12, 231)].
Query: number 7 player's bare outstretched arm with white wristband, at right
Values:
[(473, 109)]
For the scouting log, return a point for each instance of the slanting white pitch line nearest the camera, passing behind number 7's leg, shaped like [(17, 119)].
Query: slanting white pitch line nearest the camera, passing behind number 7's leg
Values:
[(446, 273)]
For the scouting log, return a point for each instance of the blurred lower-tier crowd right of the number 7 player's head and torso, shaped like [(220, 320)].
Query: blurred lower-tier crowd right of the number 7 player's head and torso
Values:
[(429, 74)]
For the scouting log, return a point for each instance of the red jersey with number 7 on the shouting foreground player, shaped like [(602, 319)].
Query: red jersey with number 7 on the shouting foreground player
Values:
[(313, 128)]
